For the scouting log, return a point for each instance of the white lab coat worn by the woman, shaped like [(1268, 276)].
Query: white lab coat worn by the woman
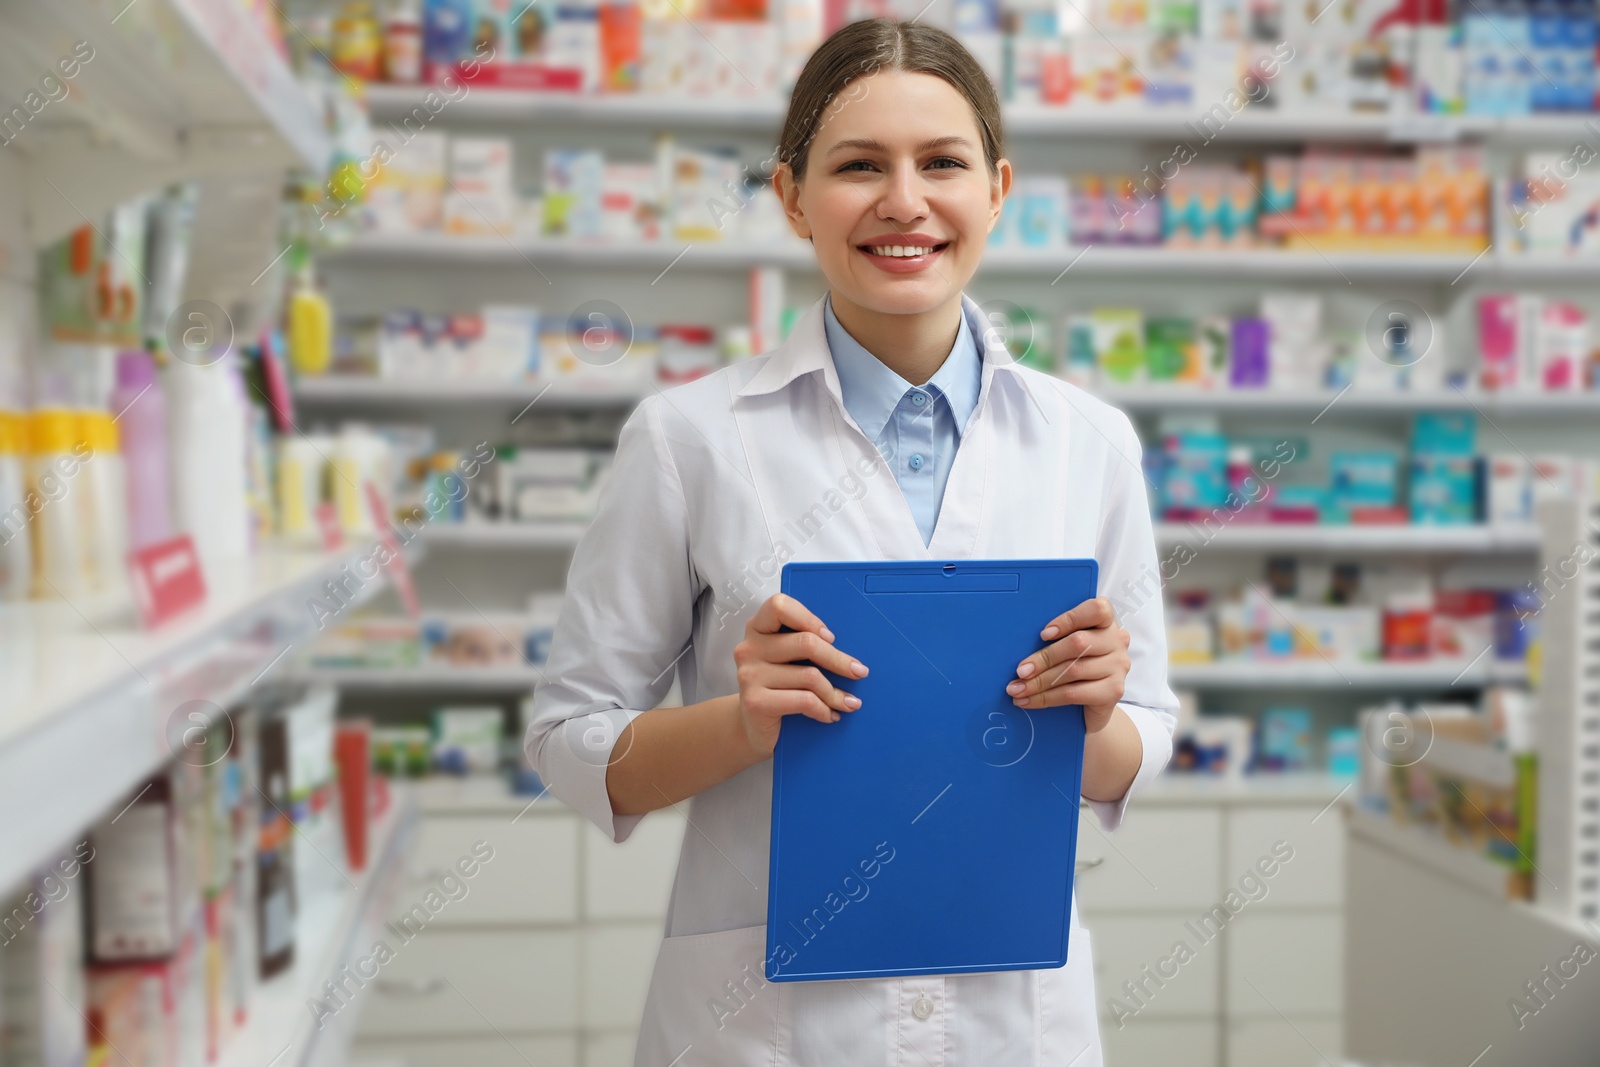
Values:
[(716, 486)]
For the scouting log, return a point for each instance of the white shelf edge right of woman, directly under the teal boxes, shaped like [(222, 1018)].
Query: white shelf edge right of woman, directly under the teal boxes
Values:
[(1242, 537)]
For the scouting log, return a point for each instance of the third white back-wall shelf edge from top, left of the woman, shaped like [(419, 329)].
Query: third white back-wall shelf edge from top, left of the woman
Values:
[(350, 390)]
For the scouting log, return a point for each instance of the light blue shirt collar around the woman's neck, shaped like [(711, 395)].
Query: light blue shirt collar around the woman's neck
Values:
[(873, 391)]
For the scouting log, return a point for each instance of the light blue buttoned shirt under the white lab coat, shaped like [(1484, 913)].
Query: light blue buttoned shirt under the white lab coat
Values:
[(916, 428)]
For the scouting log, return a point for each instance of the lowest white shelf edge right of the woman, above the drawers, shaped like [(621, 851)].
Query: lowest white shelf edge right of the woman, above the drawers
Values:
[(1311, 673)]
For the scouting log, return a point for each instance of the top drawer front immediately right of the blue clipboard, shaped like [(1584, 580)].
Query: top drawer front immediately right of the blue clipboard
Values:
[(1158, 860)]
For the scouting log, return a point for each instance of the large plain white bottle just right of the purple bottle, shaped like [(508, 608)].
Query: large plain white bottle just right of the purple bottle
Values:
[(207, 452)]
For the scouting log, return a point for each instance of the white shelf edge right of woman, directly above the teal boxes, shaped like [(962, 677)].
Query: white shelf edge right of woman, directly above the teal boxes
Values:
[(1158, 398)]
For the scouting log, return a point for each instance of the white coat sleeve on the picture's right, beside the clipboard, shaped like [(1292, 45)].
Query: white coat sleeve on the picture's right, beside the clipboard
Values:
[(1132, 578)]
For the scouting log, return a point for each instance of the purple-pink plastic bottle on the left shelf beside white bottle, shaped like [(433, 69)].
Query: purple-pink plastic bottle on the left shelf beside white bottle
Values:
[(140, 409)]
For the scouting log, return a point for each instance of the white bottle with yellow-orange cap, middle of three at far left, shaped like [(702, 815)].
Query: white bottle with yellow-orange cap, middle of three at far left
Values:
[(58, 527)]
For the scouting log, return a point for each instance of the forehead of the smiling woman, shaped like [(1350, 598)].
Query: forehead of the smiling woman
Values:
[(898, 108)]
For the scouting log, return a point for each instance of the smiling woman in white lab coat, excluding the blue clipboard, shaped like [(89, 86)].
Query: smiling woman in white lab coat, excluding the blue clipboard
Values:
[(889, 426)]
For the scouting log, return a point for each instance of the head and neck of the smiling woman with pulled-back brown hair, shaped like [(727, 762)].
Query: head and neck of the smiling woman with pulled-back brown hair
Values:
[(892, 167)]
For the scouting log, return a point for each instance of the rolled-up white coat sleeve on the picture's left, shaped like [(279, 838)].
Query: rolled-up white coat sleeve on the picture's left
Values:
[(625, 623)]
